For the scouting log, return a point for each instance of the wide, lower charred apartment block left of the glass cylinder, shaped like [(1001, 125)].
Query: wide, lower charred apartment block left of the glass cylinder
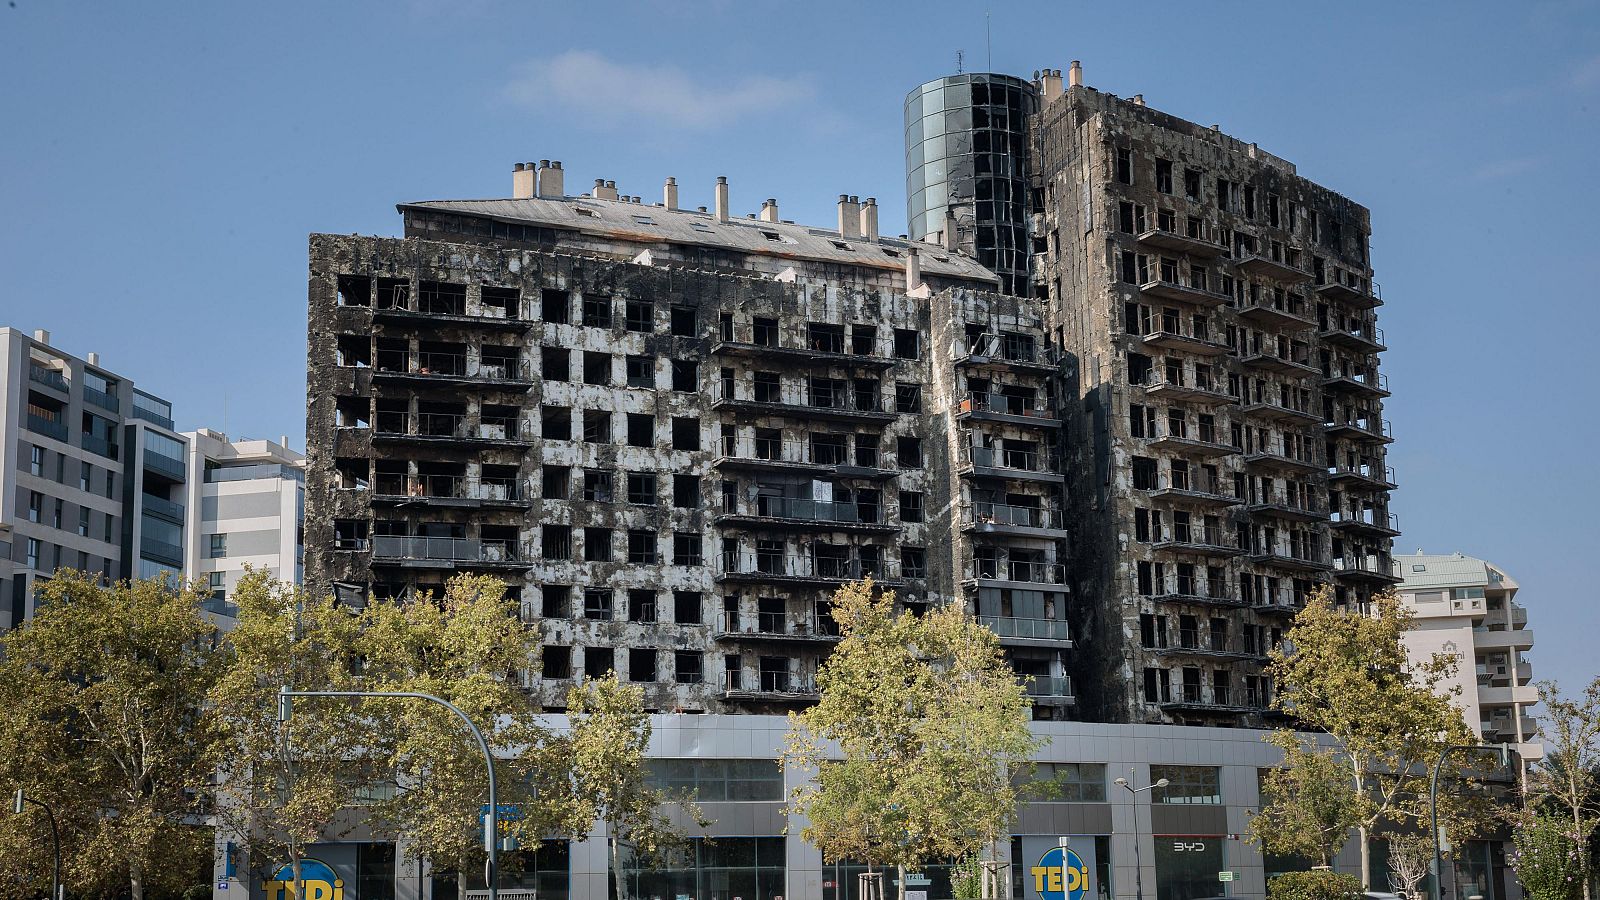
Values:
[(676, 433)]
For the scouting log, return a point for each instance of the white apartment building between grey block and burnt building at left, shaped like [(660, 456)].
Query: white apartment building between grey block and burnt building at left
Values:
[(250, 497)]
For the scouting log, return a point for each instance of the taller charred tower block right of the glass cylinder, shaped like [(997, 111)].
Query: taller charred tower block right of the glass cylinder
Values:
[(1223, 398)]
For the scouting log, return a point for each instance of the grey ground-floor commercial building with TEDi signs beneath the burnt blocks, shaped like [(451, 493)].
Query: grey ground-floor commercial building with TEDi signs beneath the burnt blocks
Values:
[(1158, 845)]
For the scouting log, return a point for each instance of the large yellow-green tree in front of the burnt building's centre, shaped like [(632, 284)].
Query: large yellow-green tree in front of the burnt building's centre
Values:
[(929, 725)]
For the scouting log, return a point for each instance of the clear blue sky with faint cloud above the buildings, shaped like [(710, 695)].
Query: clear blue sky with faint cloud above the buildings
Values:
[(161, 167)]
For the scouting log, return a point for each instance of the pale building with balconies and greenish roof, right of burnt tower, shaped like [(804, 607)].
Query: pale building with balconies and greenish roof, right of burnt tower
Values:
[(1468, 608)]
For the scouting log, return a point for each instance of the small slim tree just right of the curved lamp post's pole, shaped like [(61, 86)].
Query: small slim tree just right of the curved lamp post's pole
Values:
[(607, 741)]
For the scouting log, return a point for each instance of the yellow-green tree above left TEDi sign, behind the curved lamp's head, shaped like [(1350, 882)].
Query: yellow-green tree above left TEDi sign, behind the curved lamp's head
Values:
[(284, 785)]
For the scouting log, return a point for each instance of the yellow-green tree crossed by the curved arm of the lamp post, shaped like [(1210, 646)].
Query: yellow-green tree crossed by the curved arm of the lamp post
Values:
[(468, 648)]
